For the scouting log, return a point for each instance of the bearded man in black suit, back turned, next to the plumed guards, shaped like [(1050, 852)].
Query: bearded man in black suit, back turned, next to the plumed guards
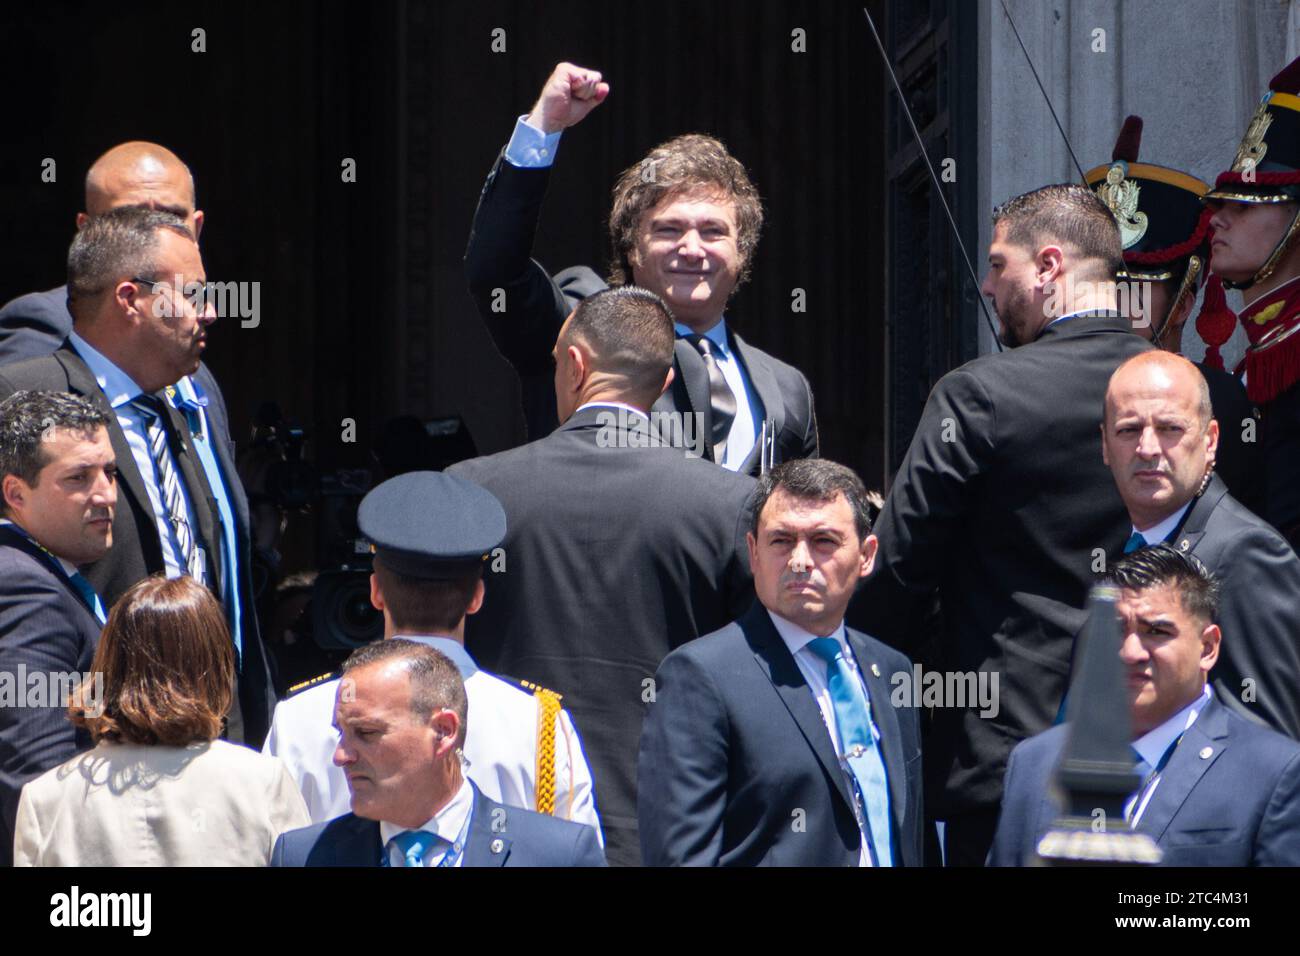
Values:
[(1003, 501)]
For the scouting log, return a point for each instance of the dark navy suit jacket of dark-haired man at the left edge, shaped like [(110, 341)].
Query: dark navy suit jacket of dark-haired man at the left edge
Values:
[(45, 629)]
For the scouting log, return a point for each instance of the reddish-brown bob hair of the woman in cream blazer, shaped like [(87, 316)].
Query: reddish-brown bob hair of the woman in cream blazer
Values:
[(168, 667)]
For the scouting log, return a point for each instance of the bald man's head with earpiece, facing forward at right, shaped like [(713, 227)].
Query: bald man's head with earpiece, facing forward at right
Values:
[(1159, 435)]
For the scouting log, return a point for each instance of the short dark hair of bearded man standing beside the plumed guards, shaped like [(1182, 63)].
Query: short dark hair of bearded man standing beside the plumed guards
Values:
[(1069, 214)]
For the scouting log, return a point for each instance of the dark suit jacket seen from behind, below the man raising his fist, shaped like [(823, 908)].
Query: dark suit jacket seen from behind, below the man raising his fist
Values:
[(614, 556)]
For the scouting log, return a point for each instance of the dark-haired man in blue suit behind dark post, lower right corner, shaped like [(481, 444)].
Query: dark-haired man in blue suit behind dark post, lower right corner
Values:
[(1214, 789)]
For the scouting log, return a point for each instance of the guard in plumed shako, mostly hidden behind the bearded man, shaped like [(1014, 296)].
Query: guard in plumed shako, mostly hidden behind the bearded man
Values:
[(1167, 236)]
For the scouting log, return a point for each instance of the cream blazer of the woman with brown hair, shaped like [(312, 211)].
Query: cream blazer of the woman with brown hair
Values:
[(209, 804)]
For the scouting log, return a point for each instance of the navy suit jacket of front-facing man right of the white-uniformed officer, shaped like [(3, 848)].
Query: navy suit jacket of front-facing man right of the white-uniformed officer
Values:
[(735, 747)]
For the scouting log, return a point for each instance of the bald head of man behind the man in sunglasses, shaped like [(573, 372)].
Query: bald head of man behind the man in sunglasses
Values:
[(144, 175)]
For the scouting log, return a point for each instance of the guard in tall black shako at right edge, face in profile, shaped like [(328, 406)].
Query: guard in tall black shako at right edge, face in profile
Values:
[(1256, 217)]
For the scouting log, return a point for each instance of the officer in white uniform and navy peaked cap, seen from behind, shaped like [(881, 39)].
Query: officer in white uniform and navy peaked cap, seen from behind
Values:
[(430, 533)]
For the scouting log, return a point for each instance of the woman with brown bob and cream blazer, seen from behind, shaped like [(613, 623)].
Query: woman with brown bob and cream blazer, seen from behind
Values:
[(159, 789)]
